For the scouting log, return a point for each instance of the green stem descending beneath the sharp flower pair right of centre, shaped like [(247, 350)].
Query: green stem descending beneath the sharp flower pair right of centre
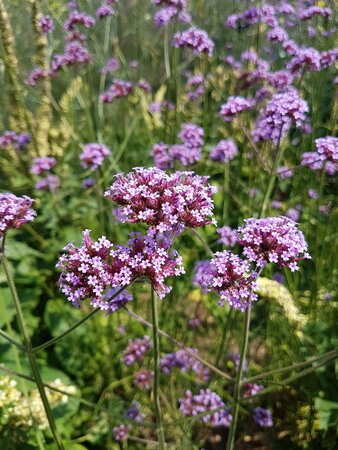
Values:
[(238, 382)]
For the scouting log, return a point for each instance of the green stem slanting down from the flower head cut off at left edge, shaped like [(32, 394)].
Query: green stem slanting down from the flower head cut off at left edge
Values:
[(31, 356)]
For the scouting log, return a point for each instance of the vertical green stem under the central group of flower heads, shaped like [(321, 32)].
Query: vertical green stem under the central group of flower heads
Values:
[(156, 343)]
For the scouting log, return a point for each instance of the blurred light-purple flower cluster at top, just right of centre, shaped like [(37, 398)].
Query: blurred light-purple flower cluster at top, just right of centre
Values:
[(196, 40)]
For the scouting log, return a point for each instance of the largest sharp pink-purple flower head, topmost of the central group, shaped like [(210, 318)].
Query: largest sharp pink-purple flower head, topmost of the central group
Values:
[(164, 201)]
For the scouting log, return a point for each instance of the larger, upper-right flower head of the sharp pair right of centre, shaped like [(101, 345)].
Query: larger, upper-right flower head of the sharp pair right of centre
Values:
[(273, 240)]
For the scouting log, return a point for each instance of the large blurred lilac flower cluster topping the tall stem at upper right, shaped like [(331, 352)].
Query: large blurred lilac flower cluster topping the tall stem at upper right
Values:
[(275, 120)]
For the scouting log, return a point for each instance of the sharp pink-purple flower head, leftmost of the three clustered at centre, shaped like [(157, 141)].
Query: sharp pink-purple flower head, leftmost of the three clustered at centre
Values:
[(85, 271)]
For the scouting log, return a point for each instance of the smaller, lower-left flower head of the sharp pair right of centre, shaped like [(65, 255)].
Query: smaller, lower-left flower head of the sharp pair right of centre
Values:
[(231, 278)]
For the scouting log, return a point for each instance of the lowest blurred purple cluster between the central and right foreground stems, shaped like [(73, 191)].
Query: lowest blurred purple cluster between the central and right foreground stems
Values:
[(204, 401)]
